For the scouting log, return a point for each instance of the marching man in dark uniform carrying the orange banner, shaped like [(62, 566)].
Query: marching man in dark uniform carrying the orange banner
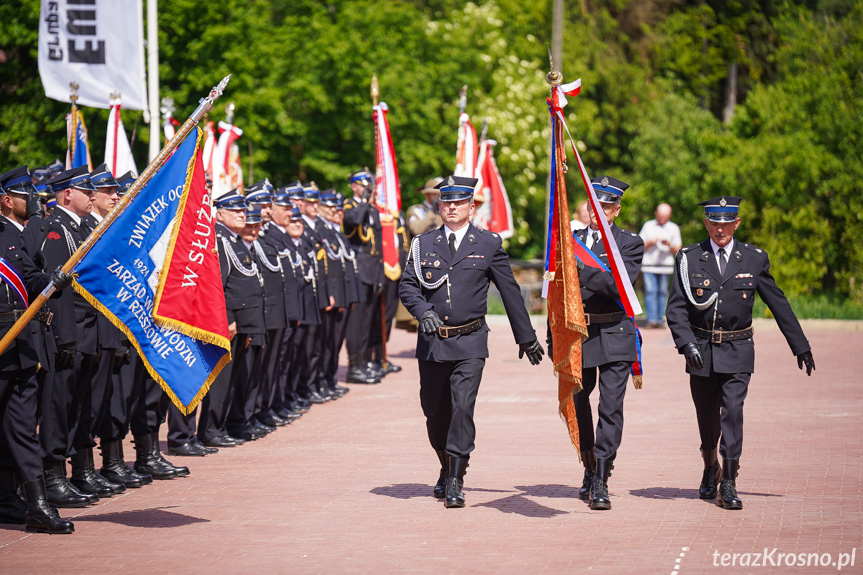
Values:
[(610, 347)]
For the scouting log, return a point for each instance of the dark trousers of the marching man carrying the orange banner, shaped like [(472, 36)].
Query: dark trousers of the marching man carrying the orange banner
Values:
[(609, 427)]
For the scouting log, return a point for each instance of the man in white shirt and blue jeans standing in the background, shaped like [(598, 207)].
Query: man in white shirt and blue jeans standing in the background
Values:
[(661, 243)]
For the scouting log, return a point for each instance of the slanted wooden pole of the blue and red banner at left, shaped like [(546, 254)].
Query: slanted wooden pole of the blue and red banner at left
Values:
[(204, 105)]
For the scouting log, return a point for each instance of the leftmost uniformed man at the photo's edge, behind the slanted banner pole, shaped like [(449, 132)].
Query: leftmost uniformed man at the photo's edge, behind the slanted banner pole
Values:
[(20, 460)]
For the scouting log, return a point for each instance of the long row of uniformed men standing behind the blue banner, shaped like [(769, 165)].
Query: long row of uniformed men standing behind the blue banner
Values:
[(302, 272)]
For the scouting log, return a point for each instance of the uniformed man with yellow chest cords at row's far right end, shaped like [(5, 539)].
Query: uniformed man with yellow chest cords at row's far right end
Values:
[(362, 226)]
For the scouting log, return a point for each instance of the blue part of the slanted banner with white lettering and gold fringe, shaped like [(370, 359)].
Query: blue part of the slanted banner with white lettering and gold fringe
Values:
[(120, 276)]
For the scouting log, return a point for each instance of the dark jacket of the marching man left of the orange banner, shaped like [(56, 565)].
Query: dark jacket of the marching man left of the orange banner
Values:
[(478, 260)]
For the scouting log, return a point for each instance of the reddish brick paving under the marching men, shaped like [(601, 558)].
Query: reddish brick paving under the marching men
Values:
[(347, 488)]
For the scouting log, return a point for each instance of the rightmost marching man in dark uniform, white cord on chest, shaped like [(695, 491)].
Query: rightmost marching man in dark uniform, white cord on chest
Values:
[(709, 313)]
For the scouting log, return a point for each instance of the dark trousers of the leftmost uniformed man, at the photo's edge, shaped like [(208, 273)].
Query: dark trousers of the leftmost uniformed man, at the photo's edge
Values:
[(19, 445)]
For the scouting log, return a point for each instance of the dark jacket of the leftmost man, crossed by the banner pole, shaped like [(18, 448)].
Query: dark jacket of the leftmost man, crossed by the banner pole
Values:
[(27, 349)]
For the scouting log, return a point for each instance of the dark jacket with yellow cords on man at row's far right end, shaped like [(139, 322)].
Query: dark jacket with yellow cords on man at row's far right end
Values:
[(362, 226)]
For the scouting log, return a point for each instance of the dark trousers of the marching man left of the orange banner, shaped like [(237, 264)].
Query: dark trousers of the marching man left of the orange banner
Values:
[(448, 396)]
